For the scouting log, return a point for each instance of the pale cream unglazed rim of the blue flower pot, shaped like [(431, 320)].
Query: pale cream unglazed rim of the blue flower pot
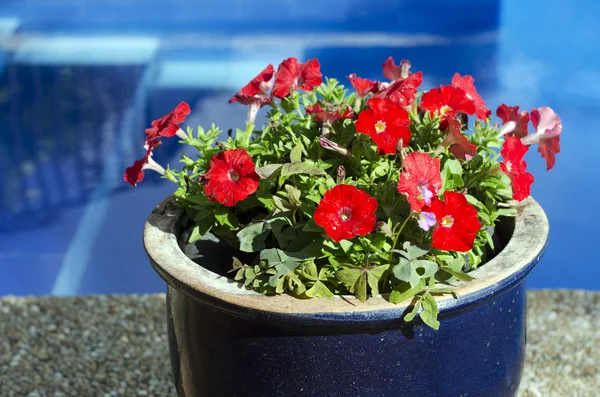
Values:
[(500, 274)]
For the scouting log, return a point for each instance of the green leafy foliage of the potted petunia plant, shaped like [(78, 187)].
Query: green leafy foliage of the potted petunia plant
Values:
[(293, 254)]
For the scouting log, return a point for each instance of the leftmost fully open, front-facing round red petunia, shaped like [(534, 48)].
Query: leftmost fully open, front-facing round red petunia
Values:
[(231, 177)]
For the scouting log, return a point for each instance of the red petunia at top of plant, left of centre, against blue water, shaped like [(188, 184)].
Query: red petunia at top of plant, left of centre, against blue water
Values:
[(301, 76)]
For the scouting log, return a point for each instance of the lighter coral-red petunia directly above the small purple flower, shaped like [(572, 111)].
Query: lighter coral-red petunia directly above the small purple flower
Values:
[(420, 179)]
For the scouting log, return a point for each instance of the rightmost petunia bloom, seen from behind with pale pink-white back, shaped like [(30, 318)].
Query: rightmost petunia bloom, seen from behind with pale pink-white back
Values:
[(548, 129)]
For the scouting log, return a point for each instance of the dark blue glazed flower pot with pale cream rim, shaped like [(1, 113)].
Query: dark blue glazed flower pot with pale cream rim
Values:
[(228, 341)]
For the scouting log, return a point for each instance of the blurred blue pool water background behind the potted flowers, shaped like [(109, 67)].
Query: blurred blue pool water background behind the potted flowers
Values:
[(79, 81)]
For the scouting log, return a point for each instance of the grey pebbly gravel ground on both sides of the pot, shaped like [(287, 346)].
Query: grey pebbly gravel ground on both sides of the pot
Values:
[(116, 346)]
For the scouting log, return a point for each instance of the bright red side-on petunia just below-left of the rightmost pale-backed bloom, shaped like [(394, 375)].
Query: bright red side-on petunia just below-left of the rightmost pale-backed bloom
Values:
[(514, 166)]
